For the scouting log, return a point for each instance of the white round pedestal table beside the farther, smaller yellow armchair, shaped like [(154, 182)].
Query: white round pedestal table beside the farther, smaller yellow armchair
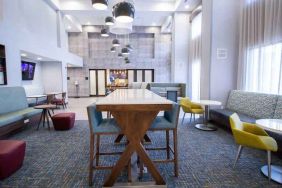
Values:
[(207, 104)]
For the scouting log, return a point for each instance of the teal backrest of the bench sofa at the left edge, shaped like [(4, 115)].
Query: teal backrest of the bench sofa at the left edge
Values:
[(12, 99)]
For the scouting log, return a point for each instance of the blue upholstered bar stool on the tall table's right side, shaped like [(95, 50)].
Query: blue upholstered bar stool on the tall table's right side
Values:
[(168, 122)]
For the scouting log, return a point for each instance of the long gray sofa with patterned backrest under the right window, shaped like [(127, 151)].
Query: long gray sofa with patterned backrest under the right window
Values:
[(250, 106)]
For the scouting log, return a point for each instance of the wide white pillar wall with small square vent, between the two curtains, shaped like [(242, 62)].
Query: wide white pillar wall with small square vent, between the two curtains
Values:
[(225, 35)]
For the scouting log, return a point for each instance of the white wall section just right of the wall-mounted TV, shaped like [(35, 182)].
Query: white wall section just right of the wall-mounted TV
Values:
[(52, 76)]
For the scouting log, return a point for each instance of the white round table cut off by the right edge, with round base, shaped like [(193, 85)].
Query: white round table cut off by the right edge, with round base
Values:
[(274, 125)]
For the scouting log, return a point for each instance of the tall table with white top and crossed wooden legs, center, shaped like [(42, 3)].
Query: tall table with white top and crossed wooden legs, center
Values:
[(134, 111)]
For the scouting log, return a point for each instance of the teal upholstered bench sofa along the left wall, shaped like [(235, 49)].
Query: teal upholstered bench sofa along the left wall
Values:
[(14, 109)]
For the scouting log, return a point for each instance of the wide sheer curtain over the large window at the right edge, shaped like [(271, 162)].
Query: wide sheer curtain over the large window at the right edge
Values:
[(260, 58)]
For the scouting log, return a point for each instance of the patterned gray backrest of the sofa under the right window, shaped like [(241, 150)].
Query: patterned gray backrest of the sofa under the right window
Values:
[(256, 105)]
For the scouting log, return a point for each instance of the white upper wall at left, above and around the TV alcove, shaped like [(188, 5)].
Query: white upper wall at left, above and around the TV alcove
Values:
[(31, 25)]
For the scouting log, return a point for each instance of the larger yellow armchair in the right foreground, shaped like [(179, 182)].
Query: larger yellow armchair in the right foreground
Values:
[(250, 135)]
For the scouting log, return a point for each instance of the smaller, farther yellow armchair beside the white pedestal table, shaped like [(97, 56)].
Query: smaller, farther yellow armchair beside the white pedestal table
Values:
[(190, 107)]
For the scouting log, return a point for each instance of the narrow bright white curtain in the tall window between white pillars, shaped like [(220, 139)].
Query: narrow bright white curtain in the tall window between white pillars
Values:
[(195, 58)]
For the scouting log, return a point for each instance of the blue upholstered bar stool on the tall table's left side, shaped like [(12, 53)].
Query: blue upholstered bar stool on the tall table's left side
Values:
[(99, 126)]
